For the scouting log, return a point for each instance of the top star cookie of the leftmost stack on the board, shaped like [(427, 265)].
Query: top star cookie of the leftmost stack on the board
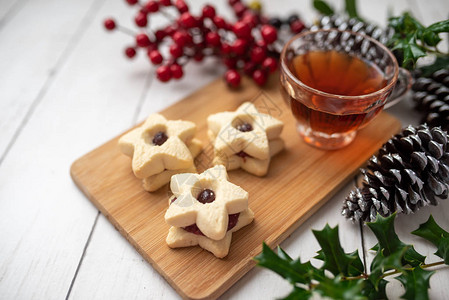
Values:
[(158, 145)]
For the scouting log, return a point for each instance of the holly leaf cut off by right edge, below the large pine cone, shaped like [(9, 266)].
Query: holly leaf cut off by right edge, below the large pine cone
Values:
[(432, 232)]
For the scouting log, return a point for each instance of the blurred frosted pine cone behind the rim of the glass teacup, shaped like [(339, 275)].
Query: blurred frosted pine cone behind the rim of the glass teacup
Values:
[(353, 24)]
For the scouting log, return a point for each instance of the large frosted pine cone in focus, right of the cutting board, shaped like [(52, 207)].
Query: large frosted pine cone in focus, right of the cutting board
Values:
[(411, 170)]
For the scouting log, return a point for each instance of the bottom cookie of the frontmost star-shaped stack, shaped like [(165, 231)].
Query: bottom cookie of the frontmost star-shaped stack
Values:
[(180, 237)]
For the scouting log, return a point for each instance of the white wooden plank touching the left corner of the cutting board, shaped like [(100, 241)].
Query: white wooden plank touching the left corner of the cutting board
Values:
[(45, 219)]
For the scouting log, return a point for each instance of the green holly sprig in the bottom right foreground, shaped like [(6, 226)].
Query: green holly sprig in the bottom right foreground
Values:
[(343, 276)]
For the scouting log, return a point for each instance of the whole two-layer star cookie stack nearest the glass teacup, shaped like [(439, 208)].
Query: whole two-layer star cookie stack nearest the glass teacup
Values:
[(244, 133)]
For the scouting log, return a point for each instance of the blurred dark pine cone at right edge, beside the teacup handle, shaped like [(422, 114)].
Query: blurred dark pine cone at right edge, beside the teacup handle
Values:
[(431, 95)]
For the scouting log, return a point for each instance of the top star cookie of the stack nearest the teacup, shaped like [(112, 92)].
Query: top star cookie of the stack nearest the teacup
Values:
[(245, 129)]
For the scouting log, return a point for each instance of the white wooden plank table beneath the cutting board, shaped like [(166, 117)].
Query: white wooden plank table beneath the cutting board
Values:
[(66, 88)]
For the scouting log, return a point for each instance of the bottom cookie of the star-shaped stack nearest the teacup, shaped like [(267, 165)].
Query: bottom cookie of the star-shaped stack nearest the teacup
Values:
[(258, 167)]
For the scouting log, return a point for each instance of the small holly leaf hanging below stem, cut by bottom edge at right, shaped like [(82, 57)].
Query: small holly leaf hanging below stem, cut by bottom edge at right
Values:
[(416, 283)]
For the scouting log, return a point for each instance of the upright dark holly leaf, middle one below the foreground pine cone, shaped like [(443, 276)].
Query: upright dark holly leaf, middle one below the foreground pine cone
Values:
[(389, 242)]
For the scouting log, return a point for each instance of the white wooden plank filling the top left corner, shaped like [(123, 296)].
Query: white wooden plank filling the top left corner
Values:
[(33, 48)]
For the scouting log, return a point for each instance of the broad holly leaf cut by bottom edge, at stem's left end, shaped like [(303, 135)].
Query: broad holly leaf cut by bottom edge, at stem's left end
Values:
[(336, 288)]
